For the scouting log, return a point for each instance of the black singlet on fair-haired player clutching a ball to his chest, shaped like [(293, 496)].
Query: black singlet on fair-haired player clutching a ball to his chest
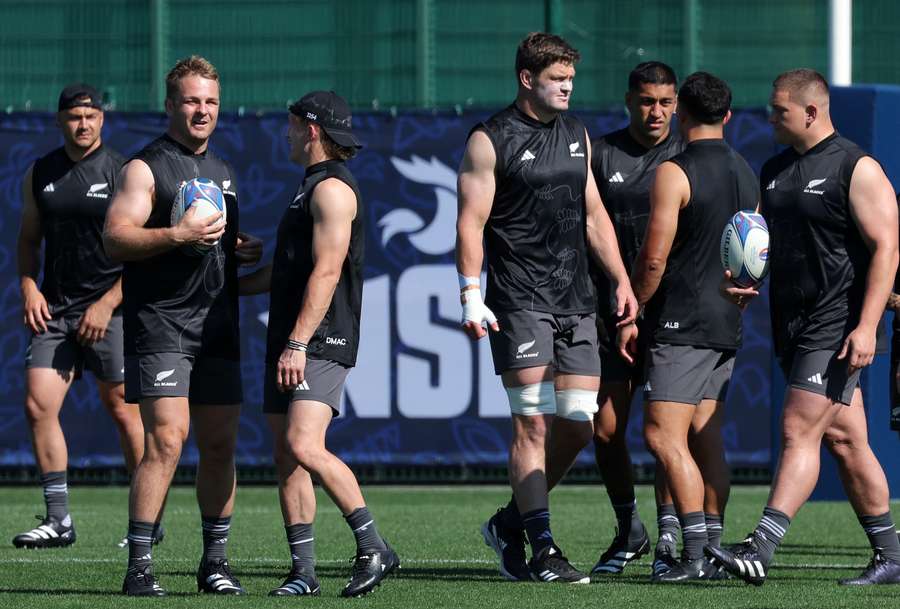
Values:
[(177, 302)]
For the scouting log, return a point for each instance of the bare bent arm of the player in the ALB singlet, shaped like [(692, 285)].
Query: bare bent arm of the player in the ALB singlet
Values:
[(670, 192)]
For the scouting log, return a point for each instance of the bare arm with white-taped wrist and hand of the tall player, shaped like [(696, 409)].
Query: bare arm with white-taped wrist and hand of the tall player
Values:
[(476, 185)]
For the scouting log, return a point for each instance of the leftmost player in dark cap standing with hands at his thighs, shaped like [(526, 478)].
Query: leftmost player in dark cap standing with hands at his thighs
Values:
[(74, 317)]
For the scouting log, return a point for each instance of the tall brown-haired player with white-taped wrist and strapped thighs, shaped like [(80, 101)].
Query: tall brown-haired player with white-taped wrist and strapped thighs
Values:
[(527, 199)]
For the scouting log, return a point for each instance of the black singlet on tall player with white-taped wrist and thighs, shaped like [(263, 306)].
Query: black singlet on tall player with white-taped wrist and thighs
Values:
[(535, 236)]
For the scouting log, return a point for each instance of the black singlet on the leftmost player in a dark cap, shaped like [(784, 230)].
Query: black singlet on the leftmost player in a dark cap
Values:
[(72, 199)]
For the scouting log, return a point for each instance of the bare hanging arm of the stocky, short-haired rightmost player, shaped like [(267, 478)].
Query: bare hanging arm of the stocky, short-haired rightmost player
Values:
[(874, 209)]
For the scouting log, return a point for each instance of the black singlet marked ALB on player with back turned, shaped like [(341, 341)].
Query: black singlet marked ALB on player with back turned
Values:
[(688, 309)]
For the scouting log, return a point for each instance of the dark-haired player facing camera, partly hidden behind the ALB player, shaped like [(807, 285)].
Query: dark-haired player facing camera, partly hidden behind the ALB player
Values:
[(624, 163)]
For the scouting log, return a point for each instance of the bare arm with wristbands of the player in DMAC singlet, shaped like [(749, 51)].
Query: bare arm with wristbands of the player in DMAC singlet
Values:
[(333, 208)]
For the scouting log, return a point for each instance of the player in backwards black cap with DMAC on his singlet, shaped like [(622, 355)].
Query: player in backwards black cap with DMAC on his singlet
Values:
[(315, 281)]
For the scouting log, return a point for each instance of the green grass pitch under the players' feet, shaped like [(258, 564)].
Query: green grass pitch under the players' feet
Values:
[(444, 561)]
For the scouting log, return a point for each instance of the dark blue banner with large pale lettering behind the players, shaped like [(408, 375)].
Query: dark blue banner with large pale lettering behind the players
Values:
[(422, 393)]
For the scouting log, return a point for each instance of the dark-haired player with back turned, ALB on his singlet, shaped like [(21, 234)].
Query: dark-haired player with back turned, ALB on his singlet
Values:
[(693, 333)]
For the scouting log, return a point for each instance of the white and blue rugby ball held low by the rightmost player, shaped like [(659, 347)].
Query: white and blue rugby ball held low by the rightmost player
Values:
[(745, 249)]
